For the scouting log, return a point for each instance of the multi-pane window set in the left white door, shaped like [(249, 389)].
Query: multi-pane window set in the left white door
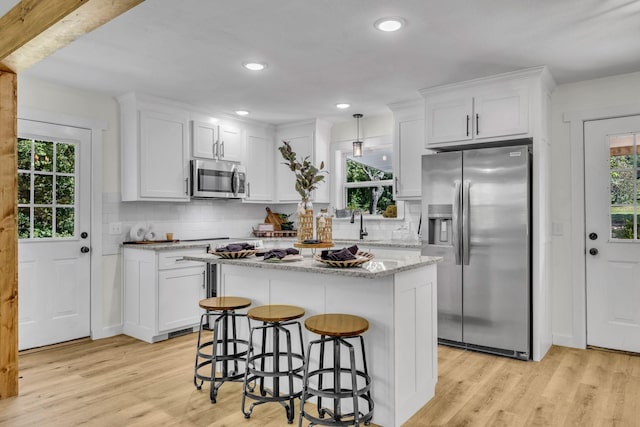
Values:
[(46, 189)]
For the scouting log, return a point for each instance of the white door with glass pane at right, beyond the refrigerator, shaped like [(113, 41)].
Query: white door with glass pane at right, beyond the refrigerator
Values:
[(612, 204)]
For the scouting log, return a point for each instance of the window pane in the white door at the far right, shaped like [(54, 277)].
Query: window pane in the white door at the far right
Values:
[(624, 189)]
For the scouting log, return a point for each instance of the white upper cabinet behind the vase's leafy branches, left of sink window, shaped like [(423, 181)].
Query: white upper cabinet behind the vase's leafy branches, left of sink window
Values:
[(310, 138)]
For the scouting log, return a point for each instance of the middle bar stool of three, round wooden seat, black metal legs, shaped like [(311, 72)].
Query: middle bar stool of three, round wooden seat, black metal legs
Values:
[(274, 364)]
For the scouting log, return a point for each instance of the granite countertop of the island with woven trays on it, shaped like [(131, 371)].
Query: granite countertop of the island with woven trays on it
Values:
[(377, 267)]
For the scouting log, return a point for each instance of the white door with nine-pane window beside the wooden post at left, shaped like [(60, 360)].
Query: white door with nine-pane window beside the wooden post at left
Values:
[(54, 182)]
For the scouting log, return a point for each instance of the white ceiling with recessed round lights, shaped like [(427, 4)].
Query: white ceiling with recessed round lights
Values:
[(321, 52)]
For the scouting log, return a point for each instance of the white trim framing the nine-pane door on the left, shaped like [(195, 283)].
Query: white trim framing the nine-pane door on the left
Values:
[(98, 329)]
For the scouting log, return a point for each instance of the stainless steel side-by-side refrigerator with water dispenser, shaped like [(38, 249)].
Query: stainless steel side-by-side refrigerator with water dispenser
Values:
[(478, 217)]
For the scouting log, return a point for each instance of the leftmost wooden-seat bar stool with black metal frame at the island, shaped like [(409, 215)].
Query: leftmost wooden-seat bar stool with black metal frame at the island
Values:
[(223, 349)]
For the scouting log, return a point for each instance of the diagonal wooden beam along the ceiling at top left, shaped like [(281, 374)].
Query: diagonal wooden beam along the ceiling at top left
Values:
[(34, 29)]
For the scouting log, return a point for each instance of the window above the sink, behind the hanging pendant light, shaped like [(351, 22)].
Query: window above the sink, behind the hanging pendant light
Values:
[(366, 182)]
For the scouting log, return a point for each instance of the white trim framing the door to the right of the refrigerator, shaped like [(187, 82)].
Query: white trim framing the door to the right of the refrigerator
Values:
[(578, 260)]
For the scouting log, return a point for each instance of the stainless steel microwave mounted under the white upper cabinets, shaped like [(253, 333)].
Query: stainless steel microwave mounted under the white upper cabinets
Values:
[(213, 179)]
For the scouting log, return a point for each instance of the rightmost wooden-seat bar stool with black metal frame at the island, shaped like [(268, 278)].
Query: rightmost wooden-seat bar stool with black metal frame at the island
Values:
[(337, 329)]
